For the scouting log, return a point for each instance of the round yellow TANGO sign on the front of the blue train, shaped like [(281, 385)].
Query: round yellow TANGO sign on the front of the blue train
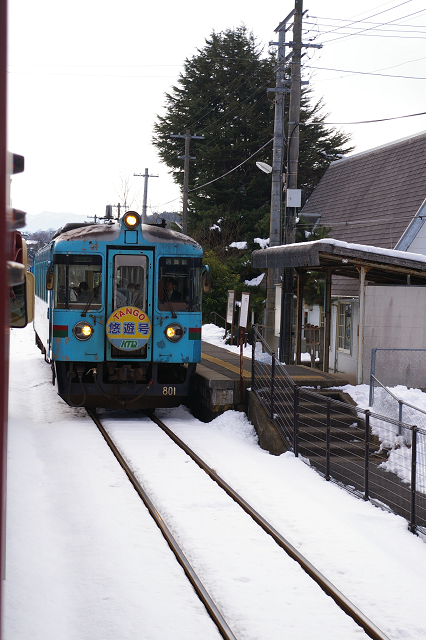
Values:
[(128, 328)]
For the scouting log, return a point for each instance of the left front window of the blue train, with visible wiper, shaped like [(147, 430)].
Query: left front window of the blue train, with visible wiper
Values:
[(78, 282)]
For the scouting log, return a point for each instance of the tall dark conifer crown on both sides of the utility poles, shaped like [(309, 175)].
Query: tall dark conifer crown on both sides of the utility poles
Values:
[(222, 95)]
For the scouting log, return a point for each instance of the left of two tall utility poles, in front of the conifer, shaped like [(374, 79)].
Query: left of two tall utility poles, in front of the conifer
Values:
[(275, 230)]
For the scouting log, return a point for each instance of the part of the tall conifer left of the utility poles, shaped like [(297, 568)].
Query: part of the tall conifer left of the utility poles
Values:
[(222, 95)]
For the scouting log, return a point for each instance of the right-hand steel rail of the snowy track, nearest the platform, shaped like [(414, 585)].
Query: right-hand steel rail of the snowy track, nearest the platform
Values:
[(341, 600)]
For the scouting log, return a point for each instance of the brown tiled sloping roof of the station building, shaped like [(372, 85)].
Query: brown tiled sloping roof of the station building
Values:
[(371, 197)]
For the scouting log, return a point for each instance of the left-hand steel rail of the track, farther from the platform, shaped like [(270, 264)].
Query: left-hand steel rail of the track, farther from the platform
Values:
[(201, 591)]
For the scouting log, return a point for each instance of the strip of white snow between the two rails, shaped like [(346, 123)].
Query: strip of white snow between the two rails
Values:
[(258, 588)]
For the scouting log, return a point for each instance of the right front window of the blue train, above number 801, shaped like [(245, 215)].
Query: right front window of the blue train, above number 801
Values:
[(179, 284)]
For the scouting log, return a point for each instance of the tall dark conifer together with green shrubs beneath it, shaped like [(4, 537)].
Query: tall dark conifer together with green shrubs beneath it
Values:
[(222, 94)]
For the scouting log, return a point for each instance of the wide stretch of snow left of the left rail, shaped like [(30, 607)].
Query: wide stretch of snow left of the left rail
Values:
[(84, 560)]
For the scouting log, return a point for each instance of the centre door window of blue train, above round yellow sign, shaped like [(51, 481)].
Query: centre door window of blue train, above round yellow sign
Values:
[(130, 281)]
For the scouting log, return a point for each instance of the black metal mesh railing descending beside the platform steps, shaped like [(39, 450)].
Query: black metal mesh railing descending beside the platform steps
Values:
[(361, 450)]
